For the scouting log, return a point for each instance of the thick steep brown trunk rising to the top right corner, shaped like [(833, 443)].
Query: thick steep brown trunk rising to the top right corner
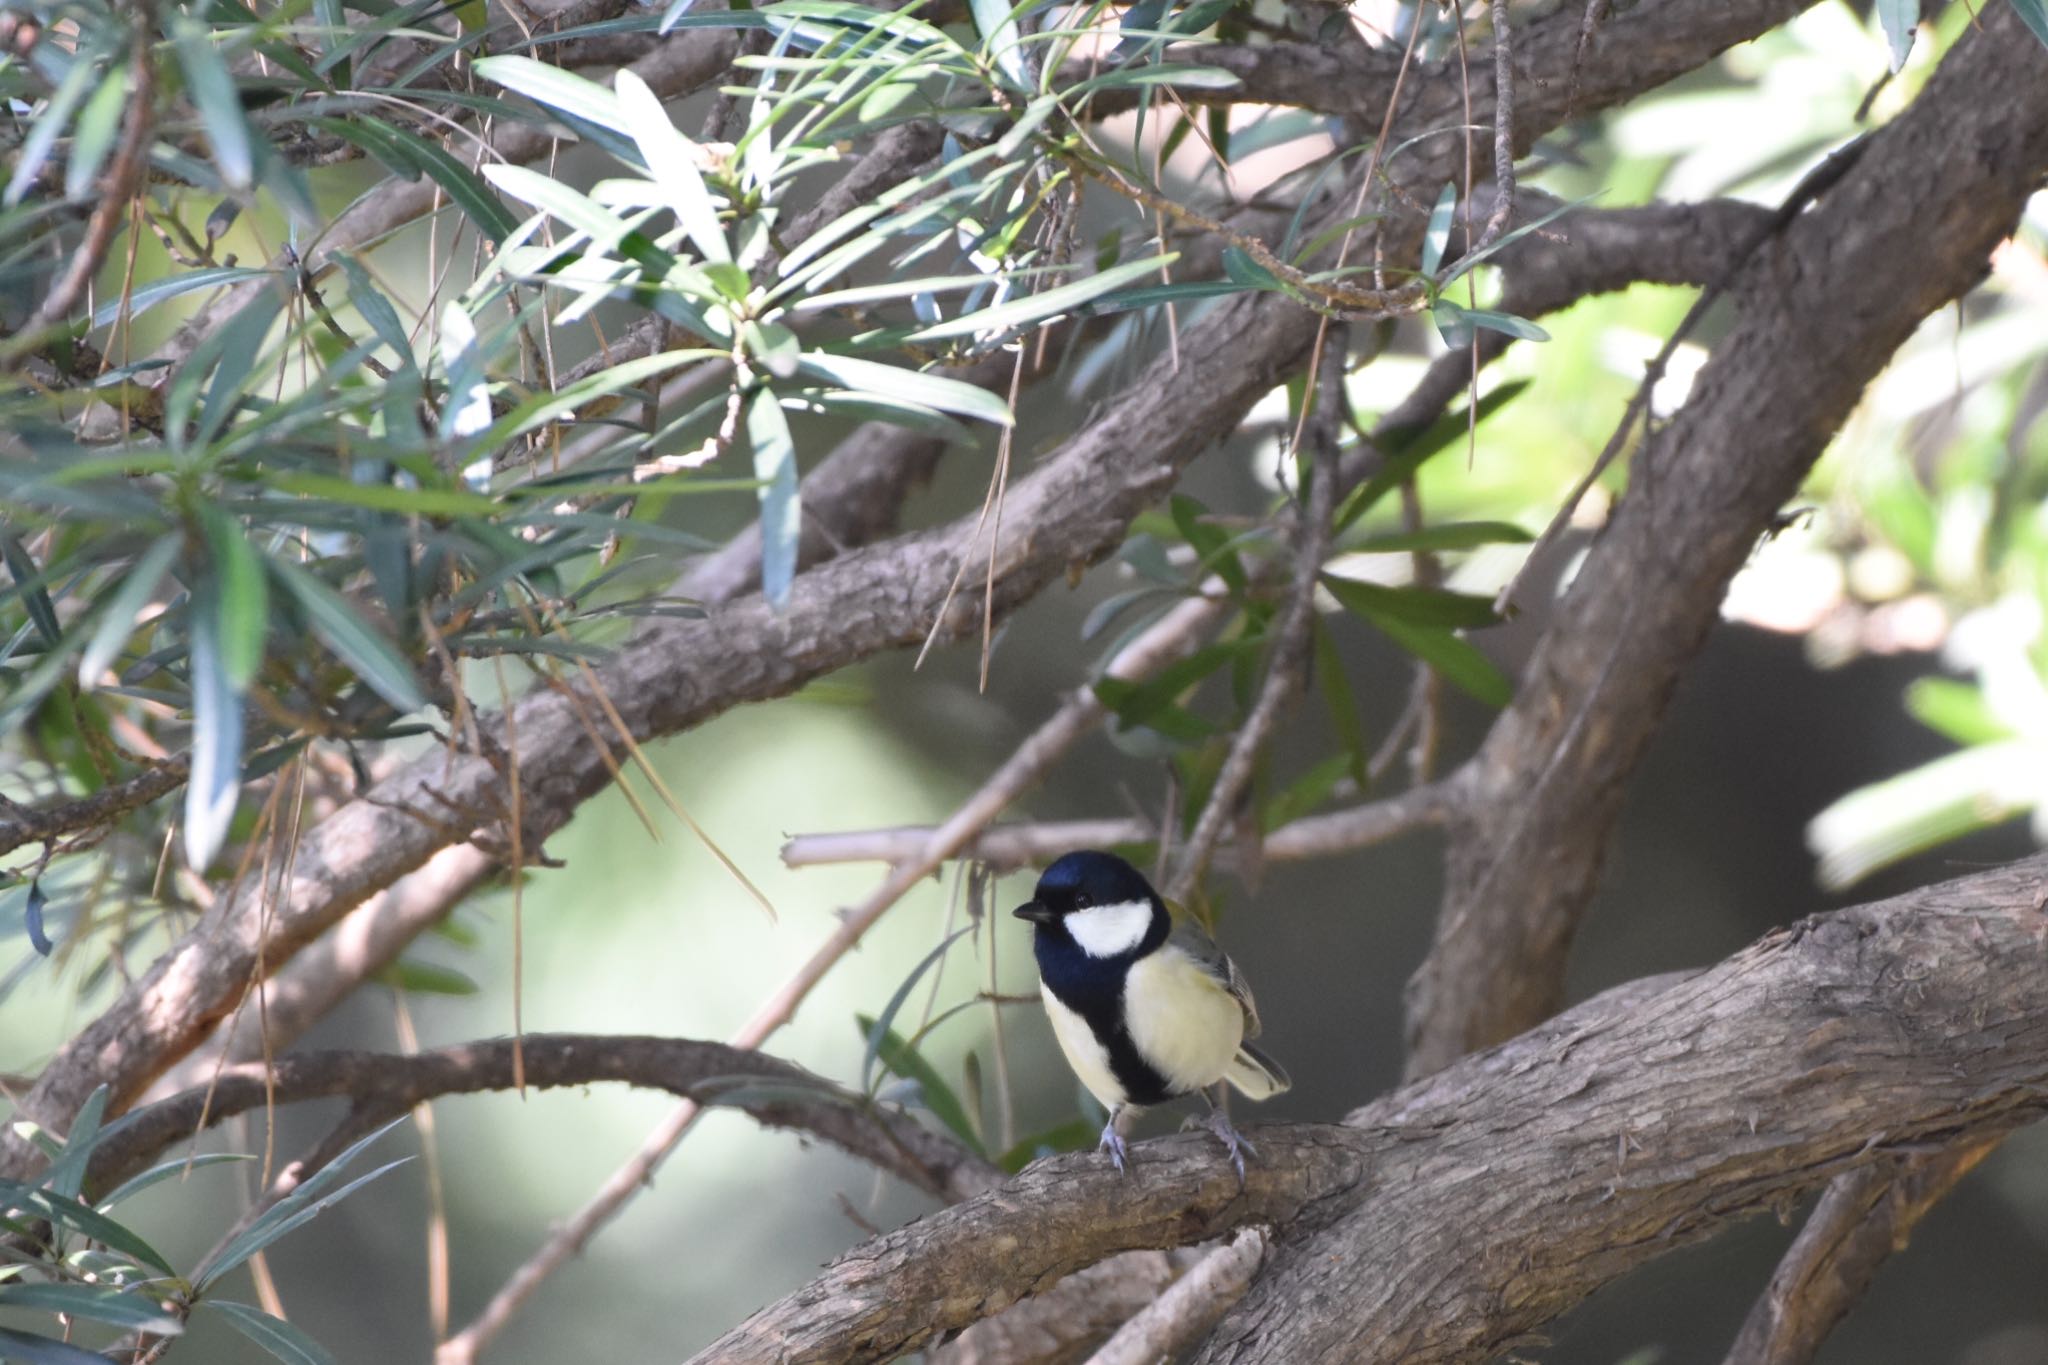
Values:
[(1938, 187)]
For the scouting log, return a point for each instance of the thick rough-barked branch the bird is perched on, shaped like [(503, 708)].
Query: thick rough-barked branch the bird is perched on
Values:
[(1476, 1206)]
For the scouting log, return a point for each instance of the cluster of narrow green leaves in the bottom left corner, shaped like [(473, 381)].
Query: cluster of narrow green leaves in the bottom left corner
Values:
[(79, 1262)]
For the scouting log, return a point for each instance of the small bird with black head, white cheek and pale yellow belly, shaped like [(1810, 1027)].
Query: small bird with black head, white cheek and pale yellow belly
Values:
[(1144, 1004)]
